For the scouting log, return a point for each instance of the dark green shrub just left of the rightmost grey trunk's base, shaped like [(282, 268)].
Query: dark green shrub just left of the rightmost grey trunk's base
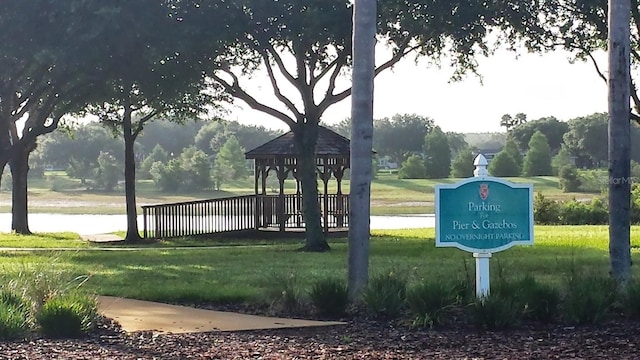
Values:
[(588, 299)]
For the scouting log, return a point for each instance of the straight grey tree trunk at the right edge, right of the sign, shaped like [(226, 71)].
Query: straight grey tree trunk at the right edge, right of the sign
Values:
[(619, 140)]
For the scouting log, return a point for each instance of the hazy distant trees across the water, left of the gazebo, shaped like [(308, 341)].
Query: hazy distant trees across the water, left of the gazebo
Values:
[(194, 156)]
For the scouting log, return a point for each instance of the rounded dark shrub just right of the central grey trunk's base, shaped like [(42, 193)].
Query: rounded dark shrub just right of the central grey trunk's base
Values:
[(385, 295)]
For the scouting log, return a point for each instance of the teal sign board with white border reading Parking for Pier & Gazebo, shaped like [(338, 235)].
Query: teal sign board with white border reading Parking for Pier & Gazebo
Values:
[(484, 214)]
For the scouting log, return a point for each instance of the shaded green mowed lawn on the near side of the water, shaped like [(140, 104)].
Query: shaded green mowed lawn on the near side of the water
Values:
[(245, 274)]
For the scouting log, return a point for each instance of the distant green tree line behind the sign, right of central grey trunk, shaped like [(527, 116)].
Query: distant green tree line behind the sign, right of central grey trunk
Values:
[(546, 146)]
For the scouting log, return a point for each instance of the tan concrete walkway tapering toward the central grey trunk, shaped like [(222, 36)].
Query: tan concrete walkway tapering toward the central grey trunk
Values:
[(137, 315)]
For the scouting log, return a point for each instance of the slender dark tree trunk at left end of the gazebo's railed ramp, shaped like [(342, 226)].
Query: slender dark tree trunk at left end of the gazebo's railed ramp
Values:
[(133, 235)]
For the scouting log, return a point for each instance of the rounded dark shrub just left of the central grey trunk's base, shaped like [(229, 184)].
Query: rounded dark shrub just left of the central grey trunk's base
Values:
[(330, 297)]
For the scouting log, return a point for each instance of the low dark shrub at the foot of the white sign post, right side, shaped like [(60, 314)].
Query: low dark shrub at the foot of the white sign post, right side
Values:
[(495, 312)]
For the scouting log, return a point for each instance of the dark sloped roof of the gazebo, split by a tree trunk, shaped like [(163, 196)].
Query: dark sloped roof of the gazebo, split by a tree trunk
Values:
[(329, 144)]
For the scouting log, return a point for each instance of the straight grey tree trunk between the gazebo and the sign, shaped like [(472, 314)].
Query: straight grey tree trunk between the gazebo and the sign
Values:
[(364, 30)]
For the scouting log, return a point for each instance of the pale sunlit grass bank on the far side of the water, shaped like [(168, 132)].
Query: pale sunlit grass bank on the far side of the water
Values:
[(389, 195)]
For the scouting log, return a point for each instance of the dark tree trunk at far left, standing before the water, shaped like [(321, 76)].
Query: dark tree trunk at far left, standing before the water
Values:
[(19, 165)]
